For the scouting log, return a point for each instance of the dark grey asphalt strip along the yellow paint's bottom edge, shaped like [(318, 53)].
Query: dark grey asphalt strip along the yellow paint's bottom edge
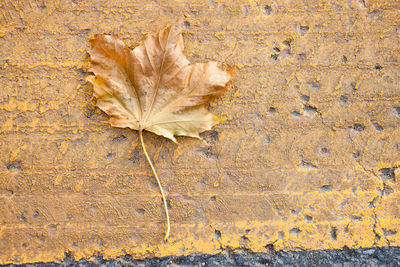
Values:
[(386, 256)]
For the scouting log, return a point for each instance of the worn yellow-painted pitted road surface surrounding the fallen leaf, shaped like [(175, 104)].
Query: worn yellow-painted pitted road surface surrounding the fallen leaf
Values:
[(307, 156)]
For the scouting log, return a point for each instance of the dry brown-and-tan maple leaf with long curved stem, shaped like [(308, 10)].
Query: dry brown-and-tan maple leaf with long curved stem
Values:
[(154, 87)]
